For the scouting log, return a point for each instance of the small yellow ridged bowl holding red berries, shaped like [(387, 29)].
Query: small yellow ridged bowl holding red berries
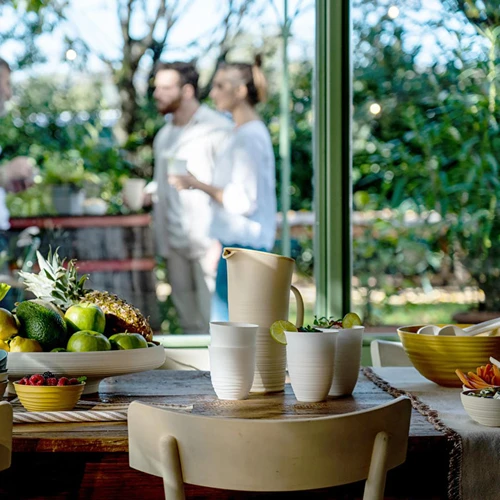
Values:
[(49, 397)]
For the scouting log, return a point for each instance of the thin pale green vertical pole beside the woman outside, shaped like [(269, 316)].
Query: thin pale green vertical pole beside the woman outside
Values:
[(285, 138)]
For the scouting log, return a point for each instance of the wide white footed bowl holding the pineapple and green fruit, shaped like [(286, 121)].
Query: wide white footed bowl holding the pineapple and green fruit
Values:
[(94, 365)]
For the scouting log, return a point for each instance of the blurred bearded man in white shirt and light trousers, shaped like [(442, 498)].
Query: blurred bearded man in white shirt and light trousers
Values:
[(188, 142)]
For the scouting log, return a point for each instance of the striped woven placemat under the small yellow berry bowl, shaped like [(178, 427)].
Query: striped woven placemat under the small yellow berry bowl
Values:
[(84, 411)]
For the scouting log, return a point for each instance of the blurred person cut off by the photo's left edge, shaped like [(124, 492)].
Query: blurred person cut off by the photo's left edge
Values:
[(16, 174)]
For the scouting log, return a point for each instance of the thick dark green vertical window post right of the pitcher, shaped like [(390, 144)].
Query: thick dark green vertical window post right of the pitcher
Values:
[(333, 158)]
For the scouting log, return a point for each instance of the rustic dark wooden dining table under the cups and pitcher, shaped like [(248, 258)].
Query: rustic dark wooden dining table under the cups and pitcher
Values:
[(93, 459)]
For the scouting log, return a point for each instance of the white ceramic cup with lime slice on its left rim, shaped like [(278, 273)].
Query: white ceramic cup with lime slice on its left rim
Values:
[(310, 358)]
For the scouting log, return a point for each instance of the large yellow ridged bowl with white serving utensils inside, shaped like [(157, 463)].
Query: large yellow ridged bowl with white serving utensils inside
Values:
[(437, 357)]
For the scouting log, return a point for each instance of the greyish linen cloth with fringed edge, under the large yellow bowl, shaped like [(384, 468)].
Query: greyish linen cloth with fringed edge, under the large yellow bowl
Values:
[(479, 470)]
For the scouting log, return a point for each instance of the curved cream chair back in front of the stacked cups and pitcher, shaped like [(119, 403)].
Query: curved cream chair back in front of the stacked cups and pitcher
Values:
[(269, 455)]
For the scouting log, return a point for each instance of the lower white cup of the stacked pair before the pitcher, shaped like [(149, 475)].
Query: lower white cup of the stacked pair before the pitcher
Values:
[(232, 370)]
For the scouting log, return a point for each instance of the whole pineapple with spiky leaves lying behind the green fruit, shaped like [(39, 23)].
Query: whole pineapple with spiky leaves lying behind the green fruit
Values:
[(61, 286)]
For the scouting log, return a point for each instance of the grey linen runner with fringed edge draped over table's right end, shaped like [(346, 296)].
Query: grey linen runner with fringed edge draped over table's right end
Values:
[(474, 472)]
